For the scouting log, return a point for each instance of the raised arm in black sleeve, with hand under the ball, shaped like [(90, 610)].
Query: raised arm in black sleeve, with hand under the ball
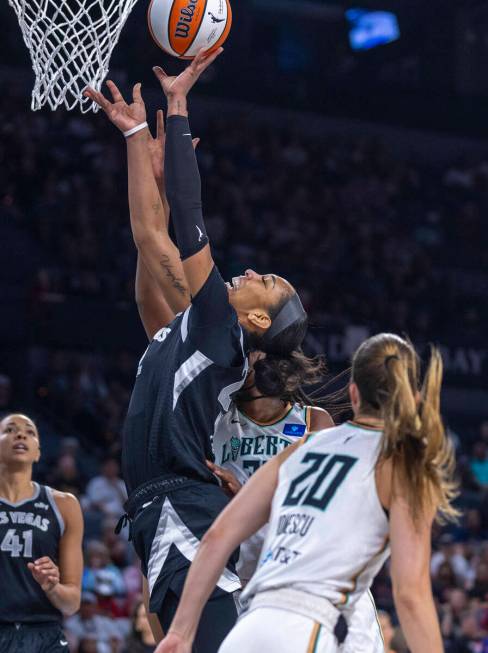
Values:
[(183, 185)]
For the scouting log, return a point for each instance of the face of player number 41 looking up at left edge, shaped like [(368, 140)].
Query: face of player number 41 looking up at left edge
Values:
[(19, 440)]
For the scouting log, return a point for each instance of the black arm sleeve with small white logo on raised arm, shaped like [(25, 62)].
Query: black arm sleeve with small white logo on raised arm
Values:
[(183, 187)]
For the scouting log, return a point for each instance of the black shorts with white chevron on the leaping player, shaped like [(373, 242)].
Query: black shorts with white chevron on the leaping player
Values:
[(166, 532)]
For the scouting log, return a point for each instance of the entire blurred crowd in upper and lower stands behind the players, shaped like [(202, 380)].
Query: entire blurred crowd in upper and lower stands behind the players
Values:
[(367, 237)]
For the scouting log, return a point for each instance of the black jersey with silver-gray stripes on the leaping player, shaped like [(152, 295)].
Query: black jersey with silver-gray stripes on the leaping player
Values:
[(185, 380)]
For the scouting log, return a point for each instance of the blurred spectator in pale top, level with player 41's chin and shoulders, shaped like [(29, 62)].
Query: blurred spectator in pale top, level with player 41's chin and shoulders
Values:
[(106, 492)]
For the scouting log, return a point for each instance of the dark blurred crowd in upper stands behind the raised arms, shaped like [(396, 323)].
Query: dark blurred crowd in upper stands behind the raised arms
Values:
[(387, 241)]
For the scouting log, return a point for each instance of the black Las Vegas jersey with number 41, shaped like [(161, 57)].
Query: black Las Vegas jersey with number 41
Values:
[(29, 530)]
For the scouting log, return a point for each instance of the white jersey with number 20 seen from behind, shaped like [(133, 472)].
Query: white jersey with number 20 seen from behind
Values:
[(328, 533)]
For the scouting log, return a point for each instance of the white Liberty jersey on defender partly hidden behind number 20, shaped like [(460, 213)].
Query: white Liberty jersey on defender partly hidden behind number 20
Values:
[(242, 446)]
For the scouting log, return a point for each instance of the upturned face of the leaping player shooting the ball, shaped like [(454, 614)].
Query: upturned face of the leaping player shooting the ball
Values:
[(252, 291)]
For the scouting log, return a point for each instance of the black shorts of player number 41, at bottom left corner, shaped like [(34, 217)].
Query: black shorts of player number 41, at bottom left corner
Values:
[(33, 638)]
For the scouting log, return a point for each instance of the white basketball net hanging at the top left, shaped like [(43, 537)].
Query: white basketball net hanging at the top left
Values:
[(70, 43)]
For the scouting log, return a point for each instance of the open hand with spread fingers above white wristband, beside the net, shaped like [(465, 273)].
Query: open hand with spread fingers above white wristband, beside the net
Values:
[(124, 116)]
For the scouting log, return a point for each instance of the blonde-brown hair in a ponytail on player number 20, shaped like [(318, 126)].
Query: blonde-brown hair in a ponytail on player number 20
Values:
[(386, 371)]
